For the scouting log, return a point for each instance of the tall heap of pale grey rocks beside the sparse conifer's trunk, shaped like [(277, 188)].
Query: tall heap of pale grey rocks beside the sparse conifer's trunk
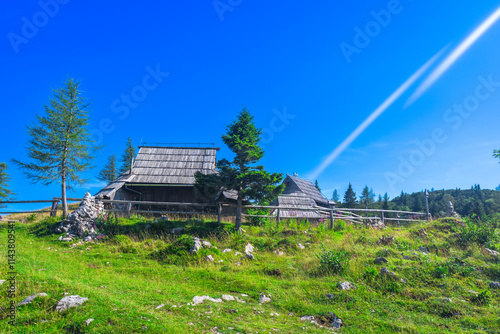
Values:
[(80, 223)]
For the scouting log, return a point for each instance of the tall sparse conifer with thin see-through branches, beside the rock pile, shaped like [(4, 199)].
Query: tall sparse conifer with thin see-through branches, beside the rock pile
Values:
[(60, 146)]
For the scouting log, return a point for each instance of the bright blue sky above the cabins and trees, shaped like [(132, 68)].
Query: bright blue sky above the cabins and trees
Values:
[(189, 68)]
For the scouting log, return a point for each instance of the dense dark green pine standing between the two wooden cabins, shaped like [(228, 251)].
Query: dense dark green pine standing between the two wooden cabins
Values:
[(241, 175)]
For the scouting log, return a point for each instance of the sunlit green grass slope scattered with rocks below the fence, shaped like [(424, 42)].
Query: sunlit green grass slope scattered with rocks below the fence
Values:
[(128, 275)]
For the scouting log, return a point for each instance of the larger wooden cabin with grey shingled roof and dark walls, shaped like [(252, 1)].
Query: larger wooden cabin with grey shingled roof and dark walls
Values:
[(162, 174)]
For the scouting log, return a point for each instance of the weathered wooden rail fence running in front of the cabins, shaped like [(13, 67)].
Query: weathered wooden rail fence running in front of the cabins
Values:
[(365, 216)]
